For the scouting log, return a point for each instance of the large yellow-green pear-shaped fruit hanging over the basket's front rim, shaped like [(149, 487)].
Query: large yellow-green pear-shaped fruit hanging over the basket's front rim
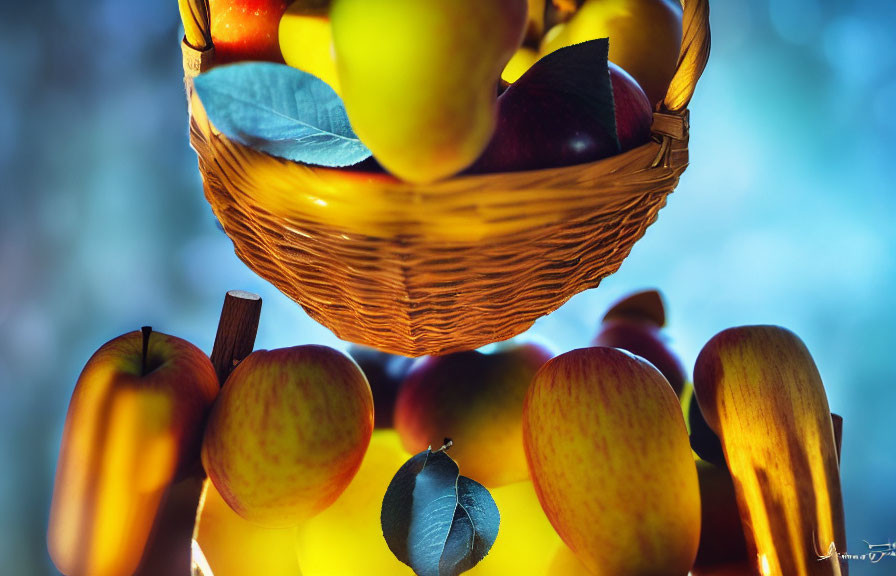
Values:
[(418, 78)]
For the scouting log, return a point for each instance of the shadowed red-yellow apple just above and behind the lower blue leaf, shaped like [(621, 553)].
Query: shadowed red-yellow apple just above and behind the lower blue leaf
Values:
[(476, 400)]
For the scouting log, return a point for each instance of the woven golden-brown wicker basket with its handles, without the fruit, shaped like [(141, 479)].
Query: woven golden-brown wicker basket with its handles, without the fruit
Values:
[(429, 269)]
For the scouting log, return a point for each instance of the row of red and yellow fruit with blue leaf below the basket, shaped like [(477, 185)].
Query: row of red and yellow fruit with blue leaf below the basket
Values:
[(570, 465)]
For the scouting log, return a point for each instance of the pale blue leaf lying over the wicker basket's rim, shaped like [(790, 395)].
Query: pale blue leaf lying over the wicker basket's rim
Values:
[(282, 111)]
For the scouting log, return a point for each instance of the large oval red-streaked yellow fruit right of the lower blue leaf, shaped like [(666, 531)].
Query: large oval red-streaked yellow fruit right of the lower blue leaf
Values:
[(610, 460)]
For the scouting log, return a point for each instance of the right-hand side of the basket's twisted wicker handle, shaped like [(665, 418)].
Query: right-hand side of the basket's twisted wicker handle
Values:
[(695, 42)]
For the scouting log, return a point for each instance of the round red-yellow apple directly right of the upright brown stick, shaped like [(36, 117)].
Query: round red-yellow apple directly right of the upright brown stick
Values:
[(288, 433)]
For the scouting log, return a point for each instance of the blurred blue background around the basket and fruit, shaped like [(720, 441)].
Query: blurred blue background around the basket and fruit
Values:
[(785, 216)]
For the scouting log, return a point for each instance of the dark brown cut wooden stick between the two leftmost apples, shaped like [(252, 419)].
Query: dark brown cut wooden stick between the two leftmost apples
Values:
[(169, 550)]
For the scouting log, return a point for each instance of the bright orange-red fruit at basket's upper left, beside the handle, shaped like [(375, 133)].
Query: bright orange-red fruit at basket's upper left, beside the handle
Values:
[(246, 29)]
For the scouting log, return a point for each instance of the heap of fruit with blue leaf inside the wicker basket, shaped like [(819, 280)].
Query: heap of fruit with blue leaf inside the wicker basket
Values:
[(429, 90)]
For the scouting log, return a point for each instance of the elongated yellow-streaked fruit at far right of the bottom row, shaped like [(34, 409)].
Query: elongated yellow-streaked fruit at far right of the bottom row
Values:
[(761, 393)]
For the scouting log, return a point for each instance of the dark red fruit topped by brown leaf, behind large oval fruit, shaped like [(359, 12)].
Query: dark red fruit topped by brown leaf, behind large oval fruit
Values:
[(632, 325)]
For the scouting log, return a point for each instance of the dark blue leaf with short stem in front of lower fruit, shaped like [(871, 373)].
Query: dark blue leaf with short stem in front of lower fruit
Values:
[(435, 521)]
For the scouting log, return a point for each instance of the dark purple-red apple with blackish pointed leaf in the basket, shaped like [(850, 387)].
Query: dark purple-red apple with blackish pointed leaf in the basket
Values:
[(561, 112)]
